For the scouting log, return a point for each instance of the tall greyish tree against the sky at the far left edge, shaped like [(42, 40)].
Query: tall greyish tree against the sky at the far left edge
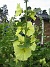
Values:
[(4, 13)]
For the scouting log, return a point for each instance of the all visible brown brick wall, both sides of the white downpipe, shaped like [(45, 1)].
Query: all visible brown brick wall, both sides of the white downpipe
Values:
[(46, 29)]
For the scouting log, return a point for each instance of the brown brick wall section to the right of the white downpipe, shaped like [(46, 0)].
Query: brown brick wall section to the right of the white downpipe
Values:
[(47, 31)]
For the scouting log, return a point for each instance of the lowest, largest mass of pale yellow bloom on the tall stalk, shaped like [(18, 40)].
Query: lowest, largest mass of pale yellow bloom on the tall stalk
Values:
[(23, 53)]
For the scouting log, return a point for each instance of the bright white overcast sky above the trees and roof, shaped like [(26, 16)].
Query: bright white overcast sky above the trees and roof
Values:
[(12, 4)]
